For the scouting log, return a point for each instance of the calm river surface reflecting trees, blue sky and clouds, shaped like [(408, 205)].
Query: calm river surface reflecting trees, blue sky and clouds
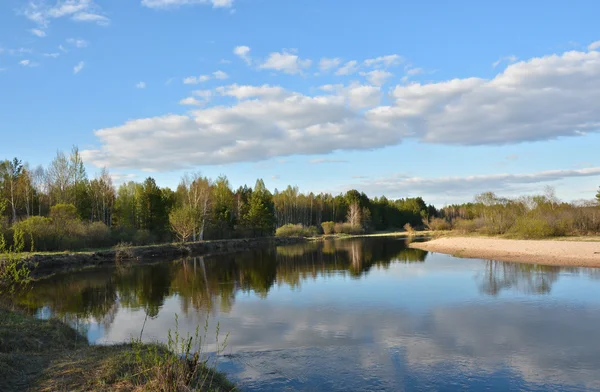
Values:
[(356, 314)]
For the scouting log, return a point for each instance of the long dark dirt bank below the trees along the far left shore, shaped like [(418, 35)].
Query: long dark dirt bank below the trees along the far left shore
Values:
[(47, 264)]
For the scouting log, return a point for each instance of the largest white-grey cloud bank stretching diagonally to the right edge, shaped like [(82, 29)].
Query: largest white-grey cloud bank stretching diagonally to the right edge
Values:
[(540, 99)]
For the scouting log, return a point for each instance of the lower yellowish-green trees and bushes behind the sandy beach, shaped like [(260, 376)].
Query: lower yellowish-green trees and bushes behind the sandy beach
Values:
[(537, 216)]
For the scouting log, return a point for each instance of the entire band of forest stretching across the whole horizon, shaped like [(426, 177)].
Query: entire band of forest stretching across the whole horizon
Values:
[(60, 208)]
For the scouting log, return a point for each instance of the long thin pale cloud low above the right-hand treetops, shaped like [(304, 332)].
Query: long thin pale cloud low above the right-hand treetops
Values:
[(398, 185)]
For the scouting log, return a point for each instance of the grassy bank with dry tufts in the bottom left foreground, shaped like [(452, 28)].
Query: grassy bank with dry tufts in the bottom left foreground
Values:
[(50, 356)]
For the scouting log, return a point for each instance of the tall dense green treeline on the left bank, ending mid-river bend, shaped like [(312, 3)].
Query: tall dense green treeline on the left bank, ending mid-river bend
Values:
[(59, 207)]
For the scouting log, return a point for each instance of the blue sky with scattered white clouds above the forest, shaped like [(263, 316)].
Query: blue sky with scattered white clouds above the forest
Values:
[(437, 99)]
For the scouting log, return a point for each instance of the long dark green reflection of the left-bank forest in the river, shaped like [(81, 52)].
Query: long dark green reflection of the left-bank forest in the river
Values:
[(211, 282)]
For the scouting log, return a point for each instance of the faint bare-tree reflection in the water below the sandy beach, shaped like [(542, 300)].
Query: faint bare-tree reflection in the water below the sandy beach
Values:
[(523, 278)]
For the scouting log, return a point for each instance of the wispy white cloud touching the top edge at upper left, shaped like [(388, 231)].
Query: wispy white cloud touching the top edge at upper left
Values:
[(78, 10)]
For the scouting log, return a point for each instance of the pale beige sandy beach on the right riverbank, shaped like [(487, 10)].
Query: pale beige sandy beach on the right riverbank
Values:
[(548, 252)]
